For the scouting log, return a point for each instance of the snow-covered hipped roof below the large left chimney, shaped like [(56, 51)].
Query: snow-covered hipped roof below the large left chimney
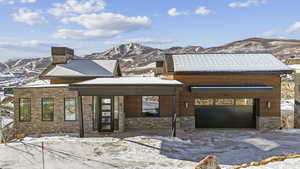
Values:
[(84, 67)]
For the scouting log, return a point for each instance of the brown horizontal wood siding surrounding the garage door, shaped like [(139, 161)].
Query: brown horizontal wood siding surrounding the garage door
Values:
[(186, 97)]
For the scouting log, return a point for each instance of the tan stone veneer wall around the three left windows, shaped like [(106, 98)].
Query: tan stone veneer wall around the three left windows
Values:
[(36, 125)]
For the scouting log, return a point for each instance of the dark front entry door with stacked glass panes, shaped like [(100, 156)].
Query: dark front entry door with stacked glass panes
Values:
[(106, 114)]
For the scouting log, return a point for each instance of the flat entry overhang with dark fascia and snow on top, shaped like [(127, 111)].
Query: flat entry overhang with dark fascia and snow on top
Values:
[(127, 86)]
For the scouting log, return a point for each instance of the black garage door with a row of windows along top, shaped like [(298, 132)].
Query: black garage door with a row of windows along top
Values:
[(225, 113)]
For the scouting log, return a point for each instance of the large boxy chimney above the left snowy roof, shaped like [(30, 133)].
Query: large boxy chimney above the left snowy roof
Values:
[(61, 55)]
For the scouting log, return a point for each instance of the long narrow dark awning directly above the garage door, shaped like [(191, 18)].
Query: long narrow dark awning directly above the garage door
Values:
[(219, 89)]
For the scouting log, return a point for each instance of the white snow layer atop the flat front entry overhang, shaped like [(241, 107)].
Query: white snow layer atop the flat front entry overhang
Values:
[(129, 81)]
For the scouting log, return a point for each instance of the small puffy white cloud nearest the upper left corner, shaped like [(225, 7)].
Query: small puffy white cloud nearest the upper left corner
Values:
[(28, 16)]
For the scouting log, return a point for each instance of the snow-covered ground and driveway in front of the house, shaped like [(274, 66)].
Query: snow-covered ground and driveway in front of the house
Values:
[(144, 149)]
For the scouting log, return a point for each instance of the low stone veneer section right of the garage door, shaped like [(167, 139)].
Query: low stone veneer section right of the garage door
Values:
[(272, 122)]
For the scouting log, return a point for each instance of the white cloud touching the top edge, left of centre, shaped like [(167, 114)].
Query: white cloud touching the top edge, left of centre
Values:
[(72, 7)]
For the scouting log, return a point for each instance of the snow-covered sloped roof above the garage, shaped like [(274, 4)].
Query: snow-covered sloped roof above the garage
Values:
[(228, 63)]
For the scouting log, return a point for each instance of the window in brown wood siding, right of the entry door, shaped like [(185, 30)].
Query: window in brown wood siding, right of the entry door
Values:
[(150, 106)]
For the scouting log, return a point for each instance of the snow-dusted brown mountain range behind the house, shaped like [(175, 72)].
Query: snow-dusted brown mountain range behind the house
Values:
[(137, 59)]
